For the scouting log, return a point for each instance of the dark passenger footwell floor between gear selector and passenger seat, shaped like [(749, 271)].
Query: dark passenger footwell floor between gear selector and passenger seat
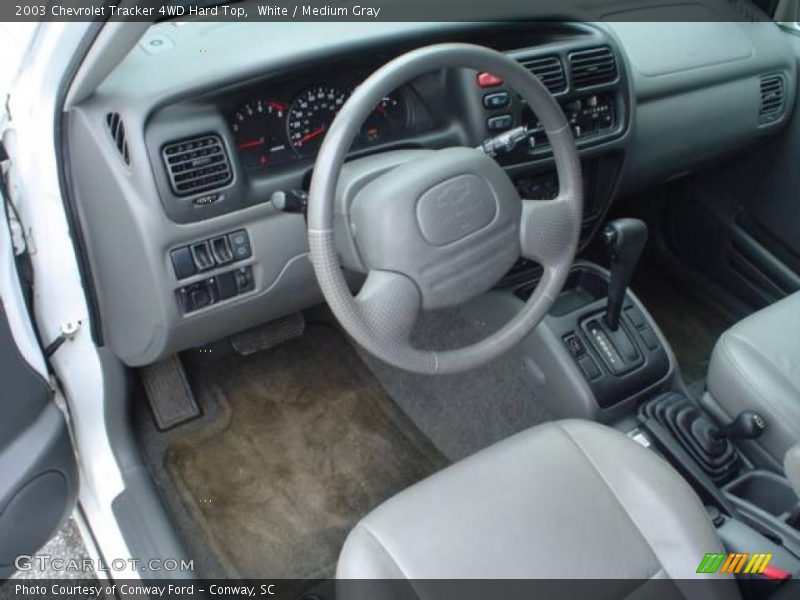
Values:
[(691, 326)]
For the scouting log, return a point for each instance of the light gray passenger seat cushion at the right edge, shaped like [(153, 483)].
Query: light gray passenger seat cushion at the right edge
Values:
[(756, 366)]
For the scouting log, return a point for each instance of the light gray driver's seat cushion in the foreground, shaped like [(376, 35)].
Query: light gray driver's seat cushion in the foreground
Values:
[(564, 500)]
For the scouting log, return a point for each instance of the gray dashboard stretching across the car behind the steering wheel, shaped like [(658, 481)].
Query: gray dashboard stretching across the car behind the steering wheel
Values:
[(677, 102)]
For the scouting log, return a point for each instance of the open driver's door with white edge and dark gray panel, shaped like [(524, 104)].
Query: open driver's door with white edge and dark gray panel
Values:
[(38, 473)]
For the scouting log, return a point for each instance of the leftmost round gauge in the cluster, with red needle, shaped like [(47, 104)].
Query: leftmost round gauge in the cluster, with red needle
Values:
[(258, 129)]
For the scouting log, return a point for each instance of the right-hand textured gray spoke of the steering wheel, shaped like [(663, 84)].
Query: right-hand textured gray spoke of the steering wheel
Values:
[(549, 230)]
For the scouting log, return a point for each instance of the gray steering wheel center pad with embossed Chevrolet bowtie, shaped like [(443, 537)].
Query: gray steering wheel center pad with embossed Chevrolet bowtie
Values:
[(448, 221)]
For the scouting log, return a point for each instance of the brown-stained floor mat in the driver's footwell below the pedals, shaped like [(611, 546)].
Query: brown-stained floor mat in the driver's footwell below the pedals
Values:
[(306, 443)]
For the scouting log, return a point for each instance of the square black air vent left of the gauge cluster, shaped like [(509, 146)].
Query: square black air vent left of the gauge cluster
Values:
[(197, 165)]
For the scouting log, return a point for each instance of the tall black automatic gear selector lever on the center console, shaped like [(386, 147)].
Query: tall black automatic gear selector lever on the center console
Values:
[(625, 240)]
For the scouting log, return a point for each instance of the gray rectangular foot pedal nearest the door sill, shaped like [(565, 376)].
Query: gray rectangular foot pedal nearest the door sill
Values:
[(171, 399)]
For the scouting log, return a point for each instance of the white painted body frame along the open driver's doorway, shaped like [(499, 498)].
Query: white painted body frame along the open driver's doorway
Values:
[(35, 190)]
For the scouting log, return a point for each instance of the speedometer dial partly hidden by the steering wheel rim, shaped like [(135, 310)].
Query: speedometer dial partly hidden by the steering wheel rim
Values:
[(310, 116)]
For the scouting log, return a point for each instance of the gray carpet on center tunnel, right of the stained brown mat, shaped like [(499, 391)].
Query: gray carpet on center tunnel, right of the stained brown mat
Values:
[(461, 413)]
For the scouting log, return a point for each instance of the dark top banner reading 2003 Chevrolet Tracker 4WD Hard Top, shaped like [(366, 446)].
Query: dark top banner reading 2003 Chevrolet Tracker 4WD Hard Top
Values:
[(384, 10)]
